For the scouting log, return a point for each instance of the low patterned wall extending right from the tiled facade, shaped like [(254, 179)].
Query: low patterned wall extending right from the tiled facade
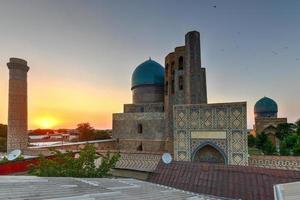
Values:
[(276, 162)]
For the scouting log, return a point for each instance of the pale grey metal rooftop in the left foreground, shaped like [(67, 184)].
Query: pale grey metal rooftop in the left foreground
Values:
[(59, 188)]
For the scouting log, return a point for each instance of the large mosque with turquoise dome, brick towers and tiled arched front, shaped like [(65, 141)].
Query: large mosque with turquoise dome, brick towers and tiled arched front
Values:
[(170, 112)]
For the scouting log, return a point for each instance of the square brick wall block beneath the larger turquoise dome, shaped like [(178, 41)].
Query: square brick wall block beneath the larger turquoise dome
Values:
[(152, 137)]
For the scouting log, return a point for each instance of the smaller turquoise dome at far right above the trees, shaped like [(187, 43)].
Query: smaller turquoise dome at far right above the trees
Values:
[(266, 106)]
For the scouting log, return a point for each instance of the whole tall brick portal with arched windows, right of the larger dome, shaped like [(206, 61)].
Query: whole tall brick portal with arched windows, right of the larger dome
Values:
[(185, 79)]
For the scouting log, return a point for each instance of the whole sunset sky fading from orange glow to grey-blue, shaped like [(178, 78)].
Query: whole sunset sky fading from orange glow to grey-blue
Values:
[(82, 53)]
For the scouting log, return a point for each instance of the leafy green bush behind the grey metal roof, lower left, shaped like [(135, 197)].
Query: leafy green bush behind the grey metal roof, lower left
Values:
[(65, 165)]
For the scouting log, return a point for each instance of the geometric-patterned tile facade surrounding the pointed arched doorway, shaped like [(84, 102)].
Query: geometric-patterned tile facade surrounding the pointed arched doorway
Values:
[(229, 117)]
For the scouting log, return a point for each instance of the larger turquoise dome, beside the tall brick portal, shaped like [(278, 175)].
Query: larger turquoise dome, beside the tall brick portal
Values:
[(148, 73)]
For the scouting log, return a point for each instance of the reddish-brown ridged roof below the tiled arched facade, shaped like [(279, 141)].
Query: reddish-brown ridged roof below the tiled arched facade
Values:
[(238, 182)]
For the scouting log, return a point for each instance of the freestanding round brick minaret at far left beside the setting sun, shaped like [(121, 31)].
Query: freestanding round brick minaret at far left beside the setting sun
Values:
[(17, 105)]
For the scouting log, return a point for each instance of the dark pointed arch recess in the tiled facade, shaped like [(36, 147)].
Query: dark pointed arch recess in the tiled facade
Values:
[(209, 154)]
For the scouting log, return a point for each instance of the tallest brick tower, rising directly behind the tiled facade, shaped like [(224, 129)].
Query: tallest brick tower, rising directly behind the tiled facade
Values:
[(195, 75)]
